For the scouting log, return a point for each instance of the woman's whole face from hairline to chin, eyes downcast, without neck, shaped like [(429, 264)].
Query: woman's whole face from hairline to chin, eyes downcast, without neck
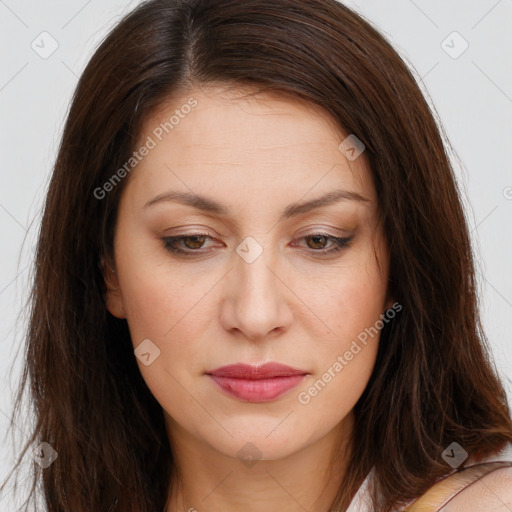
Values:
[(258, 276)]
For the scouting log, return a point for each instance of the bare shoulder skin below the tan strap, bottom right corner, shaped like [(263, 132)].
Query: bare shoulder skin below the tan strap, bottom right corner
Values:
[(491, 493)]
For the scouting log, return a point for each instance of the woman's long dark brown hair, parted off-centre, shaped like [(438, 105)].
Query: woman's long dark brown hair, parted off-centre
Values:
[(433, 383)]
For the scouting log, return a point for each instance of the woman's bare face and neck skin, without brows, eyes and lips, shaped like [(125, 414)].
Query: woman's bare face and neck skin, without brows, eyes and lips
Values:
[(291, 305)]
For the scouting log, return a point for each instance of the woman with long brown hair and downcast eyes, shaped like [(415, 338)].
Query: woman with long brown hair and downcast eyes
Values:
[(254, 283)]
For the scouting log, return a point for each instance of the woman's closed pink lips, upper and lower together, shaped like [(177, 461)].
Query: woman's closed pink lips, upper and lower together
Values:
[(256, 383)]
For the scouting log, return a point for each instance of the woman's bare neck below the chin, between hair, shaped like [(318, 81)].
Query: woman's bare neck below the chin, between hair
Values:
[(309, 479)]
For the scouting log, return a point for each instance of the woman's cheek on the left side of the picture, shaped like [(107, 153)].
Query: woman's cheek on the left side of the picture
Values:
[(174, 313)]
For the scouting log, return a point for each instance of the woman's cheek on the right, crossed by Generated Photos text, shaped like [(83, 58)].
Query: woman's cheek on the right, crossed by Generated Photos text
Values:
[(352, 315)]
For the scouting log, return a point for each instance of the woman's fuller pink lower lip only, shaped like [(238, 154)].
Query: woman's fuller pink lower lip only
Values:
[(257, 390)]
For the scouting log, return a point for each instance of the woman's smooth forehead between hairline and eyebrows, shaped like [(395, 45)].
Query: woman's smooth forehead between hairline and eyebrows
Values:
[(230, 142)]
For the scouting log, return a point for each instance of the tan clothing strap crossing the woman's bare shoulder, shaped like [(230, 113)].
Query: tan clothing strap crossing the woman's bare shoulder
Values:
[(443, 491)]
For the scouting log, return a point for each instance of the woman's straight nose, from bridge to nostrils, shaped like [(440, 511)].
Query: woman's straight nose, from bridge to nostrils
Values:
[(256, 299)]
